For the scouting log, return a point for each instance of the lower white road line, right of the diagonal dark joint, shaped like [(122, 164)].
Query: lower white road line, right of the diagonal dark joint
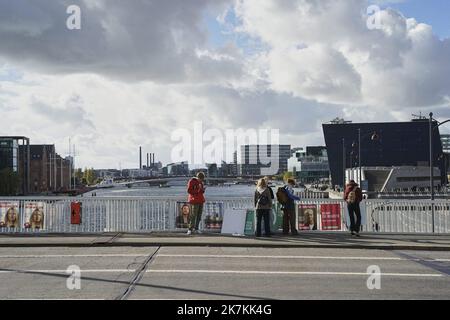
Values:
[(298, 273)]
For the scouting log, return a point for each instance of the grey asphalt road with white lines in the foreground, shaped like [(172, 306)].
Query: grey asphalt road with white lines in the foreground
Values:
[(222, 273)]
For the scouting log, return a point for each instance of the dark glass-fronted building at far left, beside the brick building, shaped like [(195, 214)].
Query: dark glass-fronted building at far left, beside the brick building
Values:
[(12, 160)]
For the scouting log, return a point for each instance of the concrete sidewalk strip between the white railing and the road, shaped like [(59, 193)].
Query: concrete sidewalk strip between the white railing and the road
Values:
[(303, 240)]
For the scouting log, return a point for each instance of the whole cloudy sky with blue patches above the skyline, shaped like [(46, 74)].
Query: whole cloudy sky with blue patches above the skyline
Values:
[(138, 70)]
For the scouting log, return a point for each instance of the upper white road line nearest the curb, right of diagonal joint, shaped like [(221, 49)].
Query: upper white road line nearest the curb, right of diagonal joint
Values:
[(290, 257)]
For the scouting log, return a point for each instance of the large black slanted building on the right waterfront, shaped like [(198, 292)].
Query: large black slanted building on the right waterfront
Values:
[(382, 145)]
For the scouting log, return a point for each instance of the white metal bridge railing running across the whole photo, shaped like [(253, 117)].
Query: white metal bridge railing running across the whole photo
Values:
[(146, 214)]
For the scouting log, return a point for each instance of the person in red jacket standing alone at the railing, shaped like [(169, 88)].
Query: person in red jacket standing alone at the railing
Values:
[(196, 198)]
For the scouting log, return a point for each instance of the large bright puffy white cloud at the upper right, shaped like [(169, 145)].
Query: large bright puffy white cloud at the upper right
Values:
[(323, 50)]
